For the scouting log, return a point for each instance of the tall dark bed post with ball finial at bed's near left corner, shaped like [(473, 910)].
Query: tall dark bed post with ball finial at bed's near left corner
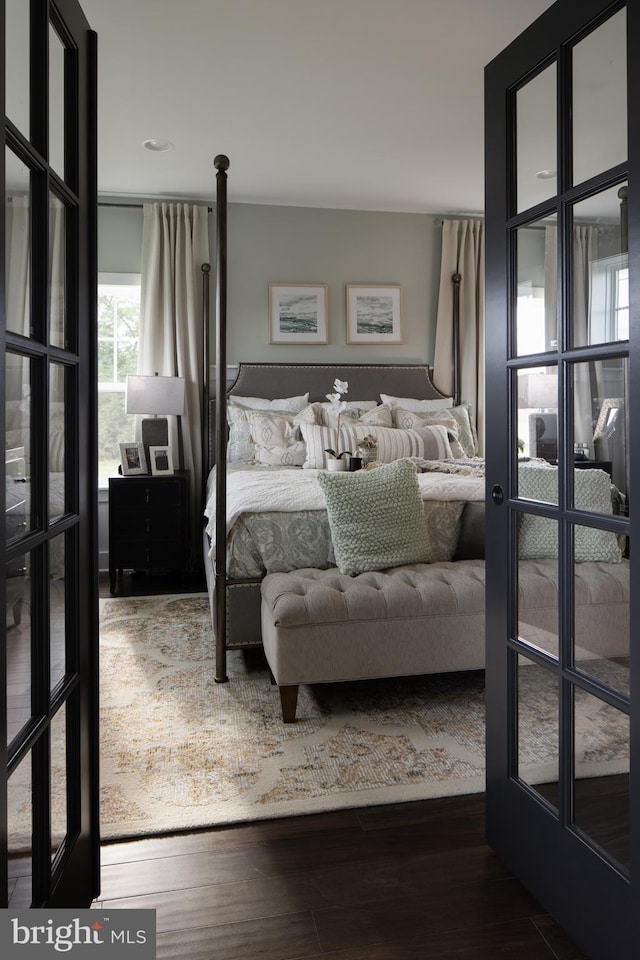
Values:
[(221, 163)]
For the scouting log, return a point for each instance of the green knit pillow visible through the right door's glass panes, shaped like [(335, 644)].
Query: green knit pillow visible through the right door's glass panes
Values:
[(539, 535)]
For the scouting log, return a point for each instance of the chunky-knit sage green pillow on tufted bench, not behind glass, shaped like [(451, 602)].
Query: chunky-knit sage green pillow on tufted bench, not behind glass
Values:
[(376, 517)]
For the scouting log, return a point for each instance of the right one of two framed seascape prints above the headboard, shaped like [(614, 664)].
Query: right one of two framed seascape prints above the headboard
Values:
[(374, 313)]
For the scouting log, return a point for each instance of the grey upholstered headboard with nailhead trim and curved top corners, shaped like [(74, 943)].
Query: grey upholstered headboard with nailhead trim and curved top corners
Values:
[(366, 382)]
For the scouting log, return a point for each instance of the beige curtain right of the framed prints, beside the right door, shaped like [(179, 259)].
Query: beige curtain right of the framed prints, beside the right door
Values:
[(463, 253)]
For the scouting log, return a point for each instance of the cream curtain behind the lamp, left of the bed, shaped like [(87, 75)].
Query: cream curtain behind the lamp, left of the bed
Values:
[(175, 244)]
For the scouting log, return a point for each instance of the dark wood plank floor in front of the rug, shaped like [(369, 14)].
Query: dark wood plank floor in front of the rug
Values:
[(411, 881)]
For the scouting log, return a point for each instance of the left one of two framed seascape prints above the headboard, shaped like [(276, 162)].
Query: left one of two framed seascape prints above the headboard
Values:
[(298, 312)]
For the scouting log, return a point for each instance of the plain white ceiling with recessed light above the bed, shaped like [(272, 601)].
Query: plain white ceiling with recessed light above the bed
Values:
[(355, 104)]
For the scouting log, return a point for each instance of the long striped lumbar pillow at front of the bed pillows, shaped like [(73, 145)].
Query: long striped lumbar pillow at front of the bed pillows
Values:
[(428, 443)]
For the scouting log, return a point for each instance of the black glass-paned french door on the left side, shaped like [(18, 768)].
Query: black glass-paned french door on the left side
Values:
[(49, 845)]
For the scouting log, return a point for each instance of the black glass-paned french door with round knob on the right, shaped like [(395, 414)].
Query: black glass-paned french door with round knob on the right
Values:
[(562, 311)]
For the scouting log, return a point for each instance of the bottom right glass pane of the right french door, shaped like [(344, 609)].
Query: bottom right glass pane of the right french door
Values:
[(601, 785)]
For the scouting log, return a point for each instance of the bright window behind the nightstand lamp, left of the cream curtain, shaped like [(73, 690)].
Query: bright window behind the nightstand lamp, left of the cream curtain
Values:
[(118, 332)]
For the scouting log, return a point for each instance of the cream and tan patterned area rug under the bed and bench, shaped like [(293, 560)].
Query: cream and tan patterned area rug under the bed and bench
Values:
[(179, 751)]
